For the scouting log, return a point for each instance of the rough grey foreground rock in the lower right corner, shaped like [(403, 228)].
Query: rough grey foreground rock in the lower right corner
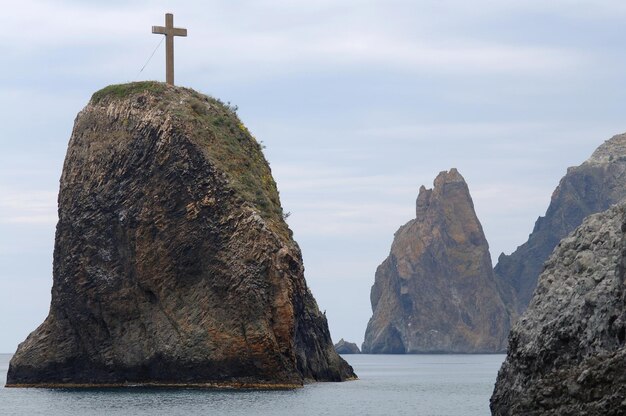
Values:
[(566, 353)]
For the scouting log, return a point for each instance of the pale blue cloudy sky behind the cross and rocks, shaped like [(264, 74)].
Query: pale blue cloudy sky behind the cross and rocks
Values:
[(358, 103)]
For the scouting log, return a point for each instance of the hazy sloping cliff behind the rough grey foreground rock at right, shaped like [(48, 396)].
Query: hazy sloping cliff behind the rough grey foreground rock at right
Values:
[(586, 189)]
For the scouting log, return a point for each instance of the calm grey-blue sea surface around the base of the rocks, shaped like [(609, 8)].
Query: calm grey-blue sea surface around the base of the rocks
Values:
[(388, 385)]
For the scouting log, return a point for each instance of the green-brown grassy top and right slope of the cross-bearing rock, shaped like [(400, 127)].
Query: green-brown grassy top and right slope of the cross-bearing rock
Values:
[(221, 135)]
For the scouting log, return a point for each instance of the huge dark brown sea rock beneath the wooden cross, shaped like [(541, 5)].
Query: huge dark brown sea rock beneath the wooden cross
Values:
[(172, 261)]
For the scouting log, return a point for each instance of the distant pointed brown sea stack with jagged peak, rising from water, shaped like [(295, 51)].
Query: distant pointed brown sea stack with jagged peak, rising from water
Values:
[(436, 291)]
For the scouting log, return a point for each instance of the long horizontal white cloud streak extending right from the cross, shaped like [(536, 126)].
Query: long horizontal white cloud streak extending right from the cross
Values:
[(345, 49)]
